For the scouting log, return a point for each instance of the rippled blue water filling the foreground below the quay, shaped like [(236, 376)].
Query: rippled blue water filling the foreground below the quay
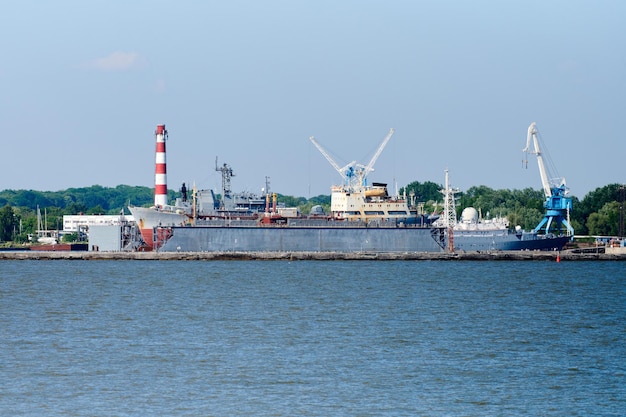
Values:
[(277, 338)]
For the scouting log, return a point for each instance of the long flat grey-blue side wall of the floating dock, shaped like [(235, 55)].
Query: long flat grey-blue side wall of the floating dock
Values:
[(304, 239)]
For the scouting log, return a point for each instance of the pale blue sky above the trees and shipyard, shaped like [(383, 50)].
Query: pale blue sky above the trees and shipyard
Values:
[(83, 85)]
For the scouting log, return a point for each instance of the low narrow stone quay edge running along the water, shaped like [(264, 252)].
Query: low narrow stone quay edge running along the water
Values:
[(321, 256)]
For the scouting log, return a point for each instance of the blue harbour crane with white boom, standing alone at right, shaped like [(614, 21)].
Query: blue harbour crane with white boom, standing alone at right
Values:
[(557, 204)]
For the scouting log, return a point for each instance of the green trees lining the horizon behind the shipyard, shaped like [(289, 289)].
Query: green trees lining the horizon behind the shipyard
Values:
[(600, 212)]
